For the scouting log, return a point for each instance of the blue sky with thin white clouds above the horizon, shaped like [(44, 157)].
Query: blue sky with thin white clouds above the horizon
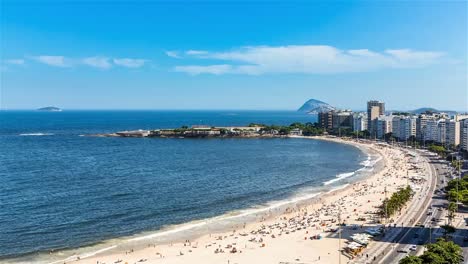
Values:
[(232, 55)]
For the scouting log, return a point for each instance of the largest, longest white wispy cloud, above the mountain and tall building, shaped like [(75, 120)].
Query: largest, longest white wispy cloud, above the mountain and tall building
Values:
[(306, 59)]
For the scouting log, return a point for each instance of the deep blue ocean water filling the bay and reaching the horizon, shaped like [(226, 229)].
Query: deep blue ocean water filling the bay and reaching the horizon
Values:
[(61, 190)]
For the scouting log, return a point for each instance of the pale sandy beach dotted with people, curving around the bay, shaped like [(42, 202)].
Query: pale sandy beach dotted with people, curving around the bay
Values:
[(289, 236)]
